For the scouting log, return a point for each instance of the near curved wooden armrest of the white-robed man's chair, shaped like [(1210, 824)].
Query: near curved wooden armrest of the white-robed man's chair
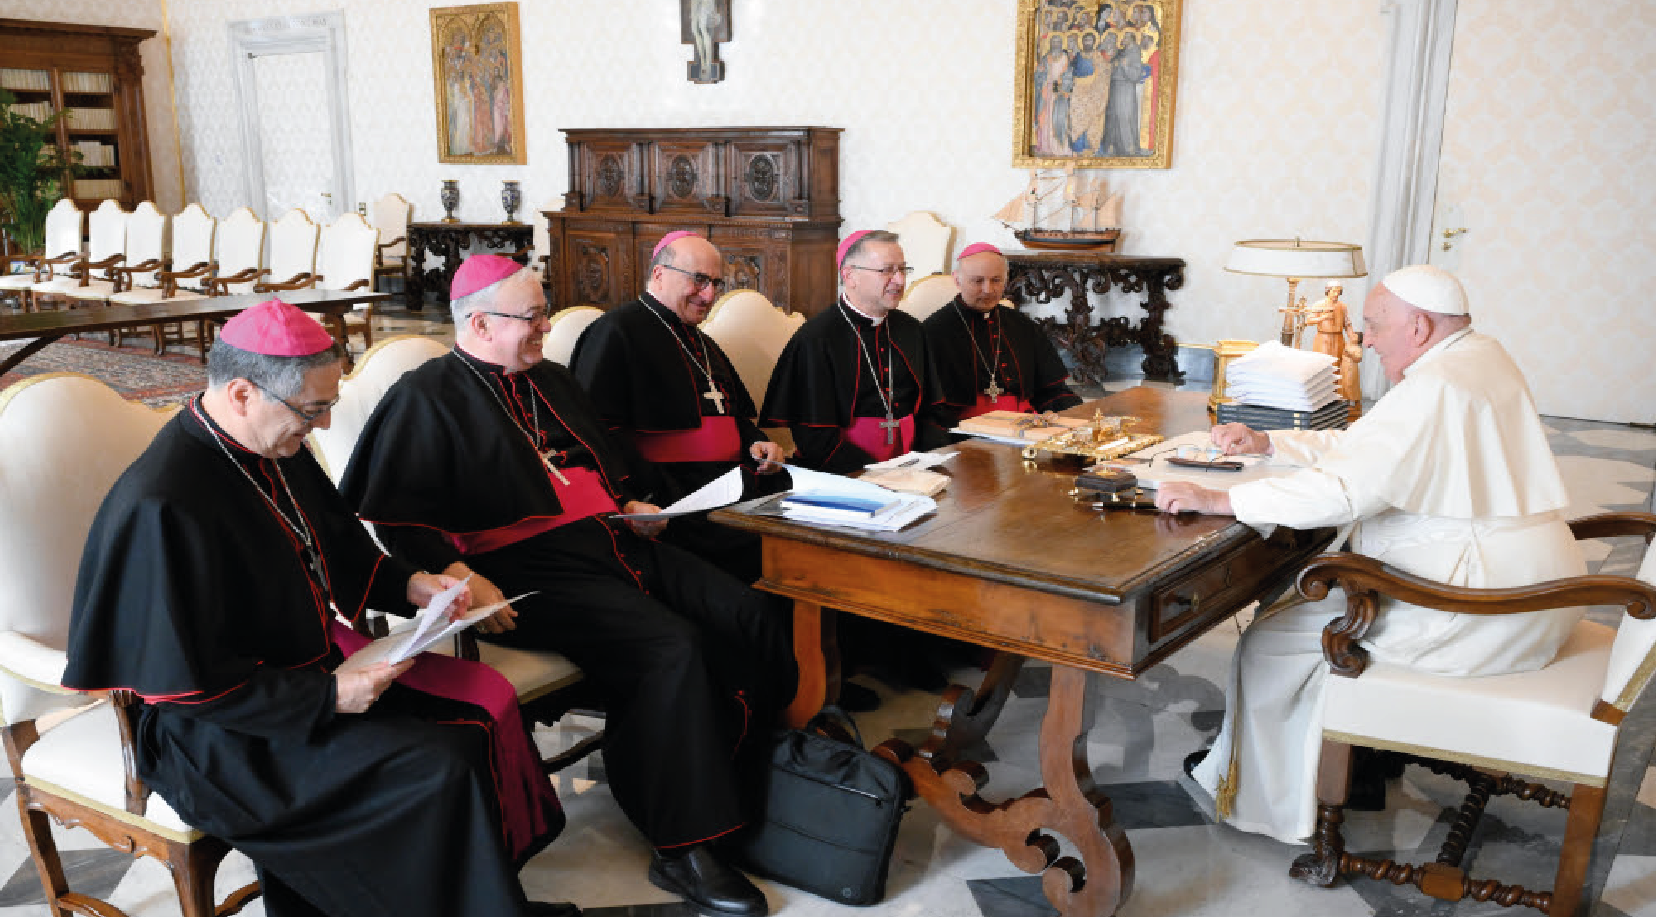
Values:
[(1366, 580)]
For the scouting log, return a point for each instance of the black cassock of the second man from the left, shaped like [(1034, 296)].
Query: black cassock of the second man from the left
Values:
[(687, 659)]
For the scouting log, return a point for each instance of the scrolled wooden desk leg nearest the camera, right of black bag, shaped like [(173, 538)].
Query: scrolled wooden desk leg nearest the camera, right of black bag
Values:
[(1068, 805)]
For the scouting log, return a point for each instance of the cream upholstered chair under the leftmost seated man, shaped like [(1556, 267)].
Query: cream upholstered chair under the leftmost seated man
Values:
[(69, 439)]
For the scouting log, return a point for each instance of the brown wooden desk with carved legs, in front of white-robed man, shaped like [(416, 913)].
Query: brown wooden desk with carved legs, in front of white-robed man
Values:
[(1015, 563)]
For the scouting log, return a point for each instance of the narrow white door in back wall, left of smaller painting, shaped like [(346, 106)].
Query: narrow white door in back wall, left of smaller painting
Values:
[(296, 138)]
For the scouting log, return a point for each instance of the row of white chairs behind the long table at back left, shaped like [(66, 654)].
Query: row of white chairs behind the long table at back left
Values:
[(125, 261)]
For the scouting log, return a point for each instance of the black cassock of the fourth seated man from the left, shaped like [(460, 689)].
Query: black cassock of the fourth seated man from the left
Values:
[(836, 369)]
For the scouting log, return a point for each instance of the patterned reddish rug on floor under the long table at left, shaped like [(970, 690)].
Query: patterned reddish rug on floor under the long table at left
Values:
[(132, 371)]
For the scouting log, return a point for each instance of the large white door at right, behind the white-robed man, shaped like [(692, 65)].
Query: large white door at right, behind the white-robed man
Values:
[(1547, 193)]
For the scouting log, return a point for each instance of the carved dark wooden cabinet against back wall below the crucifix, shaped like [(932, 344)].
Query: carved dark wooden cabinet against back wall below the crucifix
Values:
[(768, 196)]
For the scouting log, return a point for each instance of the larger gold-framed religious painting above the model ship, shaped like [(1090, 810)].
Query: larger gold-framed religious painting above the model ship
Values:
[(1096, 84)]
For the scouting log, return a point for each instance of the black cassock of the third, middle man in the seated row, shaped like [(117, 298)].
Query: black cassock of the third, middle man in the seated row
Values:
[(644, 369)]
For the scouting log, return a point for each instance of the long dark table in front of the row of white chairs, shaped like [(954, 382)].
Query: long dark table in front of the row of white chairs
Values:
[(47, 327)]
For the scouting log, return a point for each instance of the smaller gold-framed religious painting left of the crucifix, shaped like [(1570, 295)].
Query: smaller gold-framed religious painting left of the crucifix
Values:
[(478, 79)]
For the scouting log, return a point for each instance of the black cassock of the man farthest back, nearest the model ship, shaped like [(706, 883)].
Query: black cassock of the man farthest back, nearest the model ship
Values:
[(964, 344)]
